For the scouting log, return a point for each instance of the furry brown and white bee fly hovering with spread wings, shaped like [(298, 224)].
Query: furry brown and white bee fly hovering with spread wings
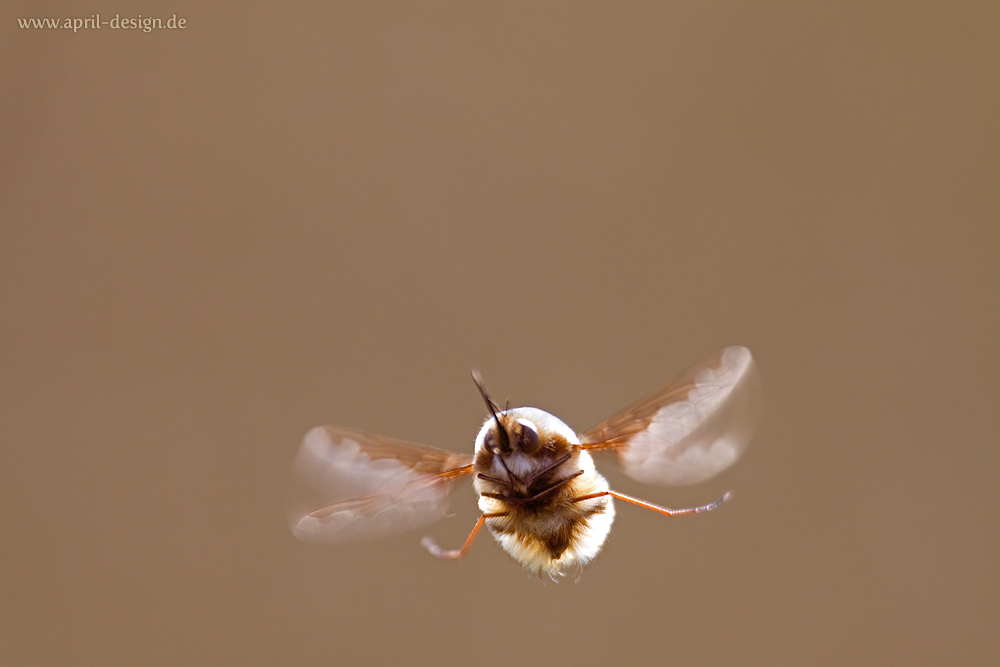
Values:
[(539, 492)]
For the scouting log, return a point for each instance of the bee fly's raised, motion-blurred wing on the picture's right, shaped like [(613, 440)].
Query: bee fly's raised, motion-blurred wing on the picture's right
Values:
[(695, 427)]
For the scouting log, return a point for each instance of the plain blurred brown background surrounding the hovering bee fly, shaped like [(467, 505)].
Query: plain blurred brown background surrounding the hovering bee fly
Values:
[(214, 239)]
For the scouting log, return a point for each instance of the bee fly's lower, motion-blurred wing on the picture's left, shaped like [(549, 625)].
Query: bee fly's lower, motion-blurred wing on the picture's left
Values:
[(351, 485)]
